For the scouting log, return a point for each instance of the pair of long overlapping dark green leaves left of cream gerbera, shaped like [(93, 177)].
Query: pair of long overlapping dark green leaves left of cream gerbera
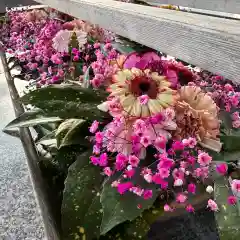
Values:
[(67, 101)]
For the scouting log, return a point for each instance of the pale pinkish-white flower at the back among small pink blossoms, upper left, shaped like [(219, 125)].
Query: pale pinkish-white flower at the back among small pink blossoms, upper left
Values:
[(63, 37)]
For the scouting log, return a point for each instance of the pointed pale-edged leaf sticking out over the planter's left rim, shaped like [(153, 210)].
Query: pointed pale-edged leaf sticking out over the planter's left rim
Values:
[(31, 118)]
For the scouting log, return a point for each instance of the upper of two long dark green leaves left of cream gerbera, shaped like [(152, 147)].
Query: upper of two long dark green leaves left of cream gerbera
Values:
[(63, 93)]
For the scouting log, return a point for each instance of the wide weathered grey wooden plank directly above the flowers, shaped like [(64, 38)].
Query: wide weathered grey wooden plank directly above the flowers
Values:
[(208, 42)]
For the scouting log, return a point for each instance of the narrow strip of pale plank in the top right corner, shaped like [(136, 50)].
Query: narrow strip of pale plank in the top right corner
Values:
[(231, 6)]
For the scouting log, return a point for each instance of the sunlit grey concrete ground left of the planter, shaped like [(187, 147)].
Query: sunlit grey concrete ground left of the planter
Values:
[(19, 213)]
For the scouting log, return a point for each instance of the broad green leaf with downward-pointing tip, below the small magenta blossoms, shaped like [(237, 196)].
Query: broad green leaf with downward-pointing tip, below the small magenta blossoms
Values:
[(120, 208)]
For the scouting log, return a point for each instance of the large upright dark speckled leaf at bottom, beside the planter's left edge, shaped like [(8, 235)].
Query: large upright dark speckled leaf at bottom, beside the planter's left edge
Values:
[(81, 207)]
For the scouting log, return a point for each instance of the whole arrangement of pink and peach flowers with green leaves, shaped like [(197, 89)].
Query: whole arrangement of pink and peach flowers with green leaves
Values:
[(135, 136)]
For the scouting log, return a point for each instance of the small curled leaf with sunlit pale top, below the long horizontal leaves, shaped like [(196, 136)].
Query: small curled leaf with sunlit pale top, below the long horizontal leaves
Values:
[(72, 131)]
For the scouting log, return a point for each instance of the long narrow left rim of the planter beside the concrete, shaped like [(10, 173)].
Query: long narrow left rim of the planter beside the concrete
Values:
[(51, 230)]
